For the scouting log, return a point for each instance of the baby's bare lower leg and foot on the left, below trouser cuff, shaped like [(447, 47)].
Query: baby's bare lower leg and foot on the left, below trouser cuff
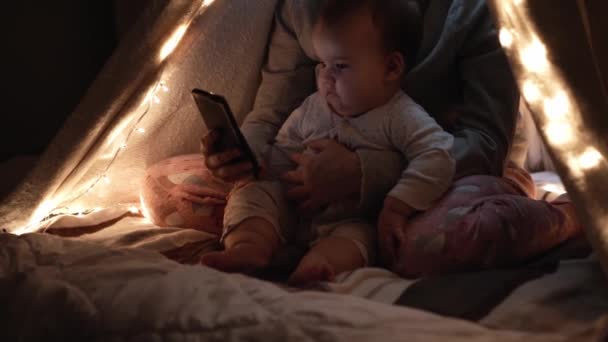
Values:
[(248, 247)]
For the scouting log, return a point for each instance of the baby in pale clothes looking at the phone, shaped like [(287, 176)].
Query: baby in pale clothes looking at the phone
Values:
[(360, 104)]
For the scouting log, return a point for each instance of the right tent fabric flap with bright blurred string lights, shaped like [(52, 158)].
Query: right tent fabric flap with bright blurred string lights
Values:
[(563, 66)]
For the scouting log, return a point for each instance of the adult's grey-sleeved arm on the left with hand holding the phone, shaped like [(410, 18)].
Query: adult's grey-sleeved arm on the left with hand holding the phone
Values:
[(287, 78)]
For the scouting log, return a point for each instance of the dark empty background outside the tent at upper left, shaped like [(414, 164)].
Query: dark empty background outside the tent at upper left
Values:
[(51, 52)]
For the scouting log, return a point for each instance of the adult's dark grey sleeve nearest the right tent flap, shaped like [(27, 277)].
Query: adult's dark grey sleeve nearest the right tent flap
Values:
[(485, 124)]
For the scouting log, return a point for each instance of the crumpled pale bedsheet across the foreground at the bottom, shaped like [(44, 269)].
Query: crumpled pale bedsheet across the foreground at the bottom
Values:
[(55, 288)]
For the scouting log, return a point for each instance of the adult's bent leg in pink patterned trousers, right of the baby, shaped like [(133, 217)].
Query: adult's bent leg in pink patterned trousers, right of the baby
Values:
[(484, 222)]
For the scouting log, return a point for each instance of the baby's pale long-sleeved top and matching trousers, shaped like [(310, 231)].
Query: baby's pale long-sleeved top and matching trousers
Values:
[(400, 125)]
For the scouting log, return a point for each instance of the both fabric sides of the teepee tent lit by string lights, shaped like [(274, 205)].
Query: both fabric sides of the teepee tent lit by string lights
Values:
[(139, 110)]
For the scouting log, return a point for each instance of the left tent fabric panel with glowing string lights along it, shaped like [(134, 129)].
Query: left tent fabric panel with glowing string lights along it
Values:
[(140, 111)]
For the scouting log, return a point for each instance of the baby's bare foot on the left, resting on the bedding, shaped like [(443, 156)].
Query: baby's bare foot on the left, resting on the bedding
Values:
[(242, 258)]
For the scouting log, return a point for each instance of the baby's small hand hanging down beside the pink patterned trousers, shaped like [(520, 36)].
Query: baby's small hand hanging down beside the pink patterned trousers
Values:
[(391, 228)]
